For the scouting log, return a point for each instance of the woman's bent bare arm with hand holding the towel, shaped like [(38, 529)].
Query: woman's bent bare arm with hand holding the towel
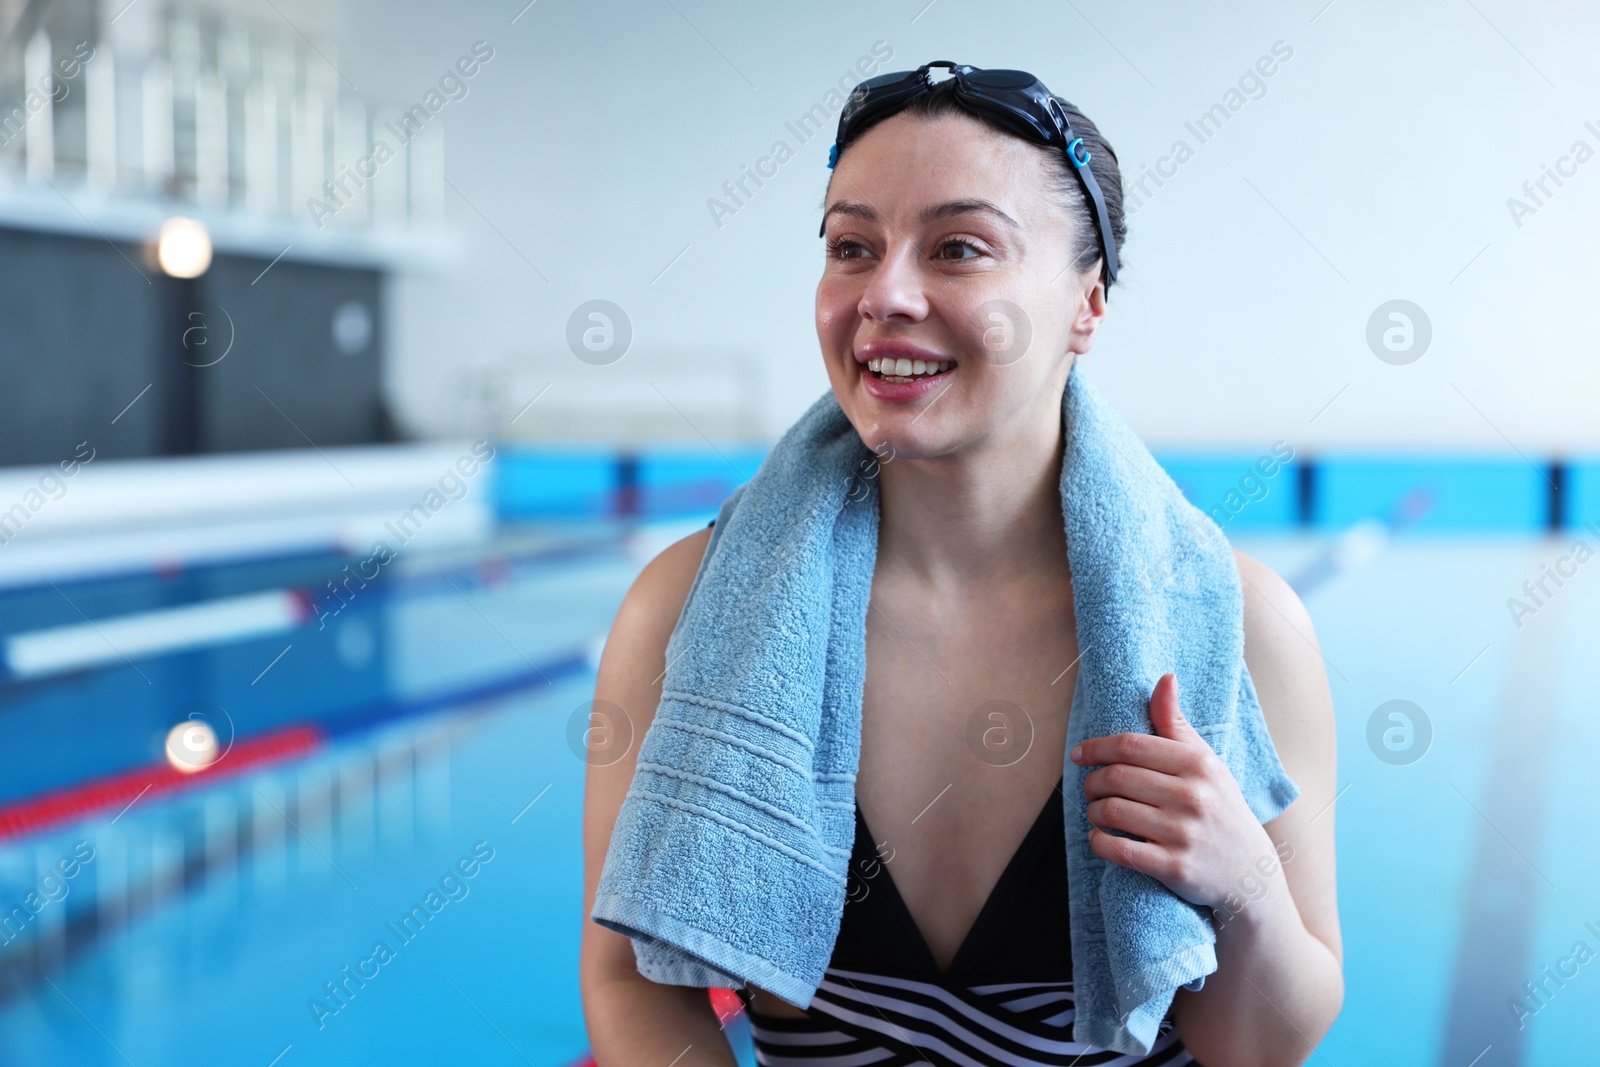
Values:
[(1271, 889)]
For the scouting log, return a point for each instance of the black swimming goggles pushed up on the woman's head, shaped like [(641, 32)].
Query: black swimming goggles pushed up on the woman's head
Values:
[(1015, 100)]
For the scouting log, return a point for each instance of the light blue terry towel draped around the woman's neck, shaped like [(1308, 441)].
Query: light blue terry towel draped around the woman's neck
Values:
[(730, 853)]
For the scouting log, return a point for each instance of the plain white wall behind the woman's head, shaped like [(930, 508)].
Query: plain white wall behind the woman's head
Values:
[(1383, 151)]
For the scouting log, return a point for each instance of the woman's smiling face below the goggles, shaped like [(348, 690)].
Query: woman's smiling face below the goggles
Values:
[(950, 244)]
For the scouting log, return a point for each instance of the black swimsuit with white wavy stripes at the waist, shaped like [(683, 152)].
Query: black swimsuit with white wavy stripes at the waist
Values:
[(1007, 997)]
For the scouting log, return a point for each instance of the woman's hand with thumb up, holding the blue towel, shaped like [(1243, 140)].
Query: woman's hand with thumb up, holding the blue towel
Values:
[(1170, 789)]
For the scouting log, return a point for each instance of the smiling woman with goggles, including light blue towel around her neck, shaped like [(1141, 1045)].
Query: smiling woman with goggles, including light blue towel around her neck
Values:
[(972, 231)]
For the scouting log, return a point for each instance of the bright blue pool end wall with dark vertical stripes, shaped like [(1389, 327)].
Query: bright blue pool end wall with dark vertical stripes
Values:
[(1273, 490)]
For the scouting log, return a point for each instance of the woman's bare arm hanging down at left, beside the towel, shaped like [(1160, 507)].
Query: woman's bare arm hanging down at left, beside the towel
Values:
[(634, 1021)]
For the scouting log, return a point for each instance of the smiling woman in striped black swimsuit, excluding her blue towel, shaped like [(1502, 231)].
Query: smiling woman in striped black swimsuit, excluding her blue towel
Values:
[(946, 223)]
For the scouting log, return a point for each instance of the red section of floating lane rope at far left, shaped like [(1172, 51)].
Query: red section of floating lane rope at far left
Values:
[(42, 812)]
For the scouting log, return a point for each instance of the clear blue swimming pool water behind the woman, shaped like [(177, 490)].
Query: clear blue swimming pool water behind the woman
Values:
[(209, 922)]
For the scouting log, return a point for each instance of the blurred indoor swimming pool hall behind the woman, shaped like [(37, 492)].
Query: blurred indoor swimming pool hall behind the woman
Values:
[(356, 358)]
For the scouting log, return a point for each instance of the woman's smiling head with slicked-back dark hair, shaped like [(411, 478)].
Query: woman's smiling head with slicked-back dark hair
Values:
[(1014, 249)]
